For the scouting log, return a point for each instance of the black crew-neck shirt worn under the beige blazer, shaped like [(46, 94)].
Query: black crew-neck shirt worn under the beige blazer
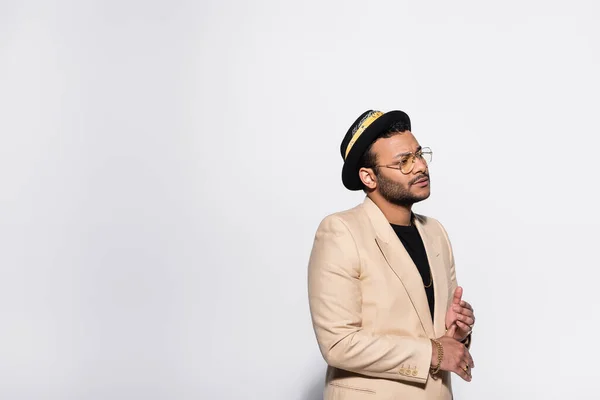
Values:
[(410, 238)]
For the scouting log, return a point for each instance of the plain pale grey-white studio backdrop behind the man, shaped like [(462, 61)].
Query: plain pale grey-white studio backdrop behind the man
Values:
[(164, 166)]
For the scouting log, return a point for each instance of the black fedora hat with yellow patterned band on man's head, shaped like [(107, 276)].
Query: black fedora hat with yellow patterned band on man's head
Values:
[(364, 131)]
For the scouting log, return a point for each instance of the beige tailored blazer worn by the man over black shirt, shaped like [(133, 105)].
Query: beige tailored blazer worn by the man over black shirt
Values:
[(369, 308)]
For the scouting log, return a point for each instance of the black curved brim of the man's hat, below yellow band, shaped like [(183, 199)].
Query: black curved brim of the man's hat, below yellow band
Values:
[(350, 176)]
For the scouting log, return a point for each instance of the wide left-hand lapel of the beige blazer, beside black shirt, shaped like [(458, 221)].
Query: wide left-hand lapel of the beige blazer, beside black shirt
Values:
[(401, 263)]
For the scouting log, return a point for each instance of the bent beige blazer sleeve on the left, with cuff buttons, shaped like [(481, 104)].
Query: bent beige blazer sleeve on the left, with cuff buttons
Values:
[(334, 287)]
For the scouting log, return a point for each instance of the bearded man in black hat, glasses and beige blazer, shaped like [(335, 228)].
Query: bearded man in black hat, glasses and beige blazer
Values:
[(387, 312)]
